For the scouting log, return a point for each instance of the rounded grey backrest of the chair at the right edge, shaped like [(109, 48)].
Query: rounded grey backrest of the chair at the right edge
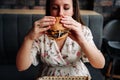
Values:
[(111, 31)]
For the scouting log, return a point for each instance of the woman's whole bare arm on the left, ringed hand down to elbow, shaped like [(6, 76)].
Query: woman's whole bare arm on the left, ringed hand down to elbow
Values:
[(23, 59)]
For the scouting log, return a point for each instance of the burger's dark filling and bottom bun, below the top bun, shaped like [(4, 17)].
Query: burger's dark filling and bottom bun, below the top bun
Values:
[(57, 33)]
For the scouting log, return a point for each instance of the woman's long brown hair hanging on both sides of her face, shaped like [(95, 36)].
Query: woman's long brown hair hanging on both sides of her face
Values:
[(76, 10)]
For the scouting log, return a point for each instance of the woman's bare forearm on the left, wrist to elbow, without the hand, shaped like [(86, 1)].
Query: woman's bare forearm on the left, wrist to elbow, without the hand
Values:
[(23, 60)]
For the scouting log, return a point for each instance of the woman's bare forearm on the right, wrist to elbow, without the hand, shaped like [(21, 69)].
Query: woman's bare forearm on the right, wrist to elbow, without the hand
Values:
[(94, 56)]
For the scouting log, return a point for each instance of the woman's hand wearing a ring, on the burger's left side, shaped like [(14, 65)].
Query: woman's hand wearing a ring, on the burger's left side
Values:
[(40, 26)]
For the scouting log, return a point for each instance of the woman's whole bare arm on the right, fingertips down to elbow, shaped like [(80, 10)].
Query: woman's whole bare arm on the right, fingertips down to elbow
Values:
[(94, 56)]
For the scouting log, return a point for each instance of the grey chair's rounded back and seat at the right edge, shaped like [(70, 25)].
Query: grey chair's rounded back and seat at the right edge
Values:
[(111, 37)]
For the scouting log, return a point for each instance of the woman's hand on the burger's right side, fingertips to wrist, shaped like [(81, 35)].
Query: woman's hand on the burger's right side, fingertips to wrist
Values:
[(74, 26)]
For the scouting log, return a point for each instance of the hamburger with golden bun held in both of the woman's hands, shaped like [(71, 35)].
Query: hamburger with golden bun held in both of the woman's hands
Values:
[(57, 31)]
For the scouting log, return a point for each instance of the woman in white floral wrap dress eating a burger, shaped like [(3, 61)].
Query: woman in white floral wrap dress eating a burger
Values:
[(64, 56)]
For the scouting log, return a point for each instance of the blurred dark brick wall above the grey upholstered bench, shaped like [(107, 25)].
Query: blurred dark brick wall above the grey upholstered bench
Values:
[(110, 9)]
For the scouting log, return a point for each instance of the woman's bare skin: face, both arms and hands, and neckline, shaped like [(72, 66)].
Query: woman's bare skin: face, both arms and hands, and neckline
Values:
[(63, 9)]
